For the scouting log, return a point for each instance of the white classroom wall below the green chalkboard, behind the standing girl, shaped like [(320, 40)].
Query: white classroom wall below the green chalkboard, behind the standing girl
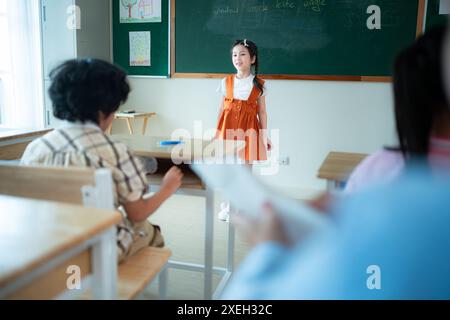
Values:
[(314, 118)]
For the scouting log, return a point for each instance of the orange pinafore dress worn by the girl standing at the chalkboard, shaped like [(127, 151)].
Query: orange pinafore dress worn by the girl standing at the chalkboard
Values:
[(239, 121)]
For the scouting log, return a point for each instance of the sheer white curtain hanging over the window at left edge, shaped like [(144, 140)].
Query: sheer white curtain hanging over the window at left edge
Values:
[(25, 103)]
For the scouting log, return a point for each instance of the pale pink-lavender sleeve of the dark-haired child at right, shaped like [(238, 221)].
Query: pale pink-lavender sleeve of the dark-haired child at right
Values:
[(380, 167)]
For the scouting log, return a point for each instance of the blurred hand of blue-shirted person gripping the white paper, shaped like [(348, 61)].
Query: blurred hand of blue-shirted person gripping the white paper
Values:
[(266, 228)]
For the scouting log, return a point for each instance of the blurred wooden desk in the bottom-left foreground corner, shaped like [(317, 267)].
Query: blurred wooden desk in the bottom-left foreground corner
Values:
[(39, 239)]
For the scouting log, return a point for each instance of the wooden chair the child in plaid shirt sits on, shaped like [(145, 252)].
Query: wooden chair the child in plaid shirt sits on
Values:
[(91, 188)]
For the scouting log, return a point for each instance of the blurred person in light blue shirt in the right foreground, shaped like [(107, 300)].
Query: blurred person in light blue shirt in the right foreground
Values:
[(390, 242)]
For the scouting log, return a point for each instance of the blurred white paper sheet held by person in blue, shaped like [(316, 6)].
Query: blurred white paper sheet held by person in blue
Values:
[(248, 194)]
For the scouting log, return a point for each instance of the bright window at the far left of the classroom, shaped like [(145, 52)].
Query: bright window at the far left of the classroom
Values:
[(21, 104)]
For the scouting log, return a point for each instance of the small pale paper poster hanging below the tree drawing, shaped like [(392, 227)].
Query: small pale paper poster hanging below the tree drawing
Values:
[(140, 49)]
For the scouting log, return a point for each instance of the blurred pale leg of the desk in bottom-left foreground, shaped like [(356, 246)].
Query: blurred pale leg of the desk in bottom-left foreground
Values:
[(104, 266)]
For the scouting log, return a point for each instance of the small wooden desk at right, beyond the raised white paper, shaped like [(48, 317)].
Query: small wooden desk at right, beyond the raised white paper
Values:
[(338, 166)]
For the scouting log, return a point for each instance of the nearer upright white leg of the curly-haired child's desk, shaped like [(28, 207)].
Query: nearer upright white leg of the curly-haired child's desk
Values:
[(209, 242)]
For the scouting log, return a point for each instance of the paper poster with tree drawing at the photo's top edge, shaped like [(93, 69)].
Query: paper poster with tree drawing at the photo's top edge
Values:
[(140, 11)]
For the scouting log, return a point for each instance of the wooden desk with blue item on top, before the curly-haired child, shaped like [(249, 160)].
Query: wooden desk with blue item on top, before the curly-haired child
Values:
[(192, 185)]
